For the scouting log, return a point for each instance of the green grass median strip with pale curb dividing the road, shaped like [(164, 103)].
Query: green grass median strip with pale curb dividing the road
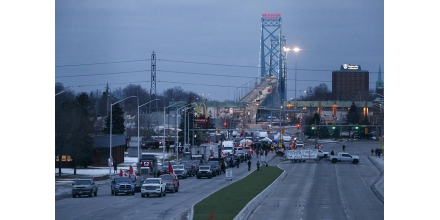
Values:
[(230, 200)]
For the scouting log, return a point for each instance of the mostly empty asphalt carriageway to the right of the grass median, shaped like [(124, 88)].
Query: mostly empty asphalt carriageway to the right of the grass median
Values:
[(322, 190)]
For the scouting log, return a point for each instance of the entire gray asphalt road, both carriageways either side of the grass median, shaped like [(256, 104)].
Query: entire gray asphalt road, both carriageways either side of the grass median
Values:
[(310, 190)]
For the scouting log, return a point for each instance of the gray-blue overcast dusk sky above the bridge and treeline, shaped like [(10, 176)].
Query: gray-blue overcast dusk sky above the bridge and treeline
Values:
[(188, 35)]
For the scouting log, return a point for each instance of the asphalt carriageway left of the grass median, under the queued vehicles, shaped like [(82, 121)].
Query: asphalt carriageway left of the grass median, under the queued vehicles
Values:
[(172, 206)]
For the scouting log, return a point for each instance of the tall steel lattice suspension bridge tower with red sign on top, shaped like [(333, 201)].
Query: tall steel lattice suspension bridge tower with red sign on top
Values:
[(272, 55)]
